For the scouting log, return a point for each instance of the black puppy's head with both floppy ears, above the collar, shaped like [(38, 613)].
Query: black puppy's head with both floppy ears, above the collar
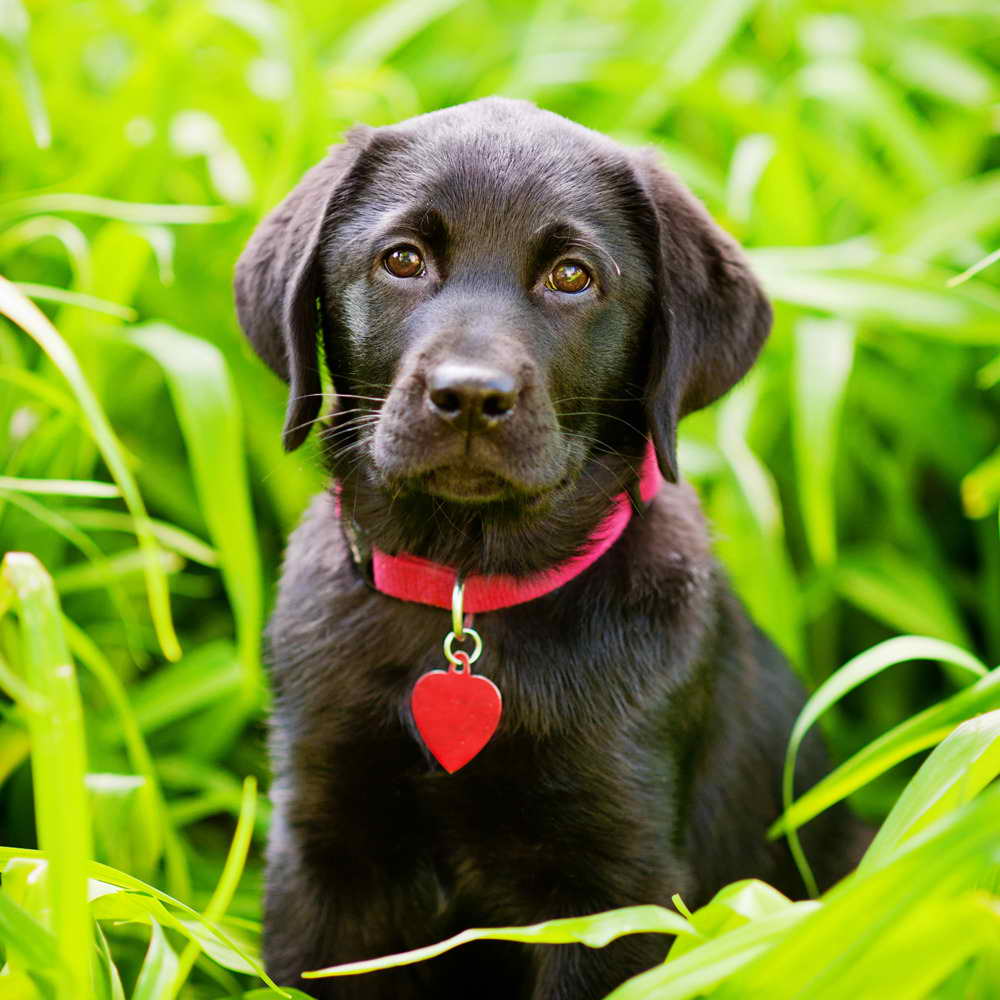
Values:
[(505, 300)]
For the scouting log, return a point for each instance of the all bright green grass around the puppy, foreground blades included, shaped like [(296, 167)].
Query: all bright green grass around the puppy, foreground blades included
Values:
[(853, 480)]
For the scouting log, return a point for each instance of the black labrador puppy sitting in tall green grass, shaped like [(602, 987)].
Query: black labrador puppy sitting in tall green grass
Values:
[(512, 310)]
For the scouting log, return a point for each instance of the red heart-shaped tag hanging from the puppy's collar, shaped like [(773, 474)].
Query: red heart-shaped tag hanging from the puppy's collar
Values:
[(456, 712)]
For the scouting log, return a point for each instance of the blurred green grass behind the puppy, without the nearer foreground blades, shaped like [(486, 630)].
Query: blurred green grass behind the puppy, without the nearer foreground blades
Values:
[(853, 480)]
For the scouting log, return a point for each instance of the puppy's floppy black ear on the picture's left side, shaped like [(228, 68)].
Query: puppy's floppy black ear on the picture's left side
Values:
[(278, 282)]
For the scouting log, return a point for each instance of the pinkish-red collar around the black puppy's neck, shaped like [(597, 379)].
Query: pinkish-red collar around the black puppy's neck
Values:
[(411, 578)]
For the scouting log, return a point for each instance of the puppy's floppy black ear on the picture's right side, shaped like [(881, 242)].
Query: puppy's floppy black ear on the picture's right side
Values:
[(710, 313)]
